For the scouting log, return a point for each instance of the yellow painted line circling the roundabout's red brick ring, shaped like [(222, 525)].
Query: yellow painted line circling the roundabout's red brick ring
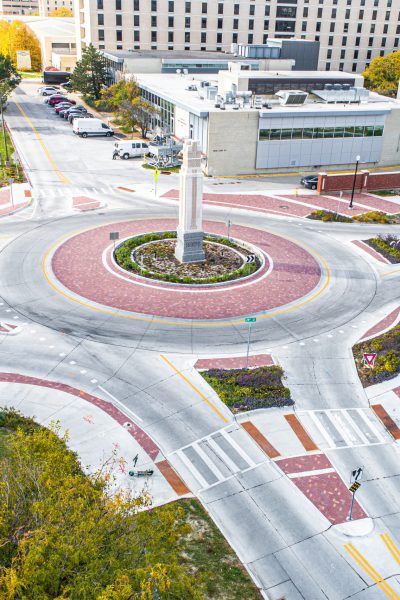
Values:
[(188, 323)]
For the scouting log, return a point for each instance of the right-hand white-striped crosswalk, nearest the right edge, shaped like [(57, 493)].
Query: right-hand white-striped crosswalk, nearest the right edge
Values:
[(343, 428)]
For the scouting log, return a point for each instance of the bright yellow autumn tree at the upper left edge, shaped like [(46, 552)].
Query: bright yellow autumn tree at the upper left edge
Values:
[(18, 36)]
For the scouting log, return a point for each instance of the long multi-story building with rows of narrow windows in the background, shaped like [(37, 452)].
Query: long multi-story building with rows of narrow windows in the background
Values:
[(350, 32)]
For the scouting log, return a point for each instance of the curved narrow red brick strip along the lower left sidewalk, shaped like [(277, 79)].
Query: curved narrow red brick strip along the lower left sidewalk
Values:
[(140, 436)]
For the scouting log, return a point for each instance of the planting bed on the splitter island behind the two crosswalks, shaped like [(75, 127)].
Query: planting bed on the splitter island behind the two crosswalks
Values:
[(249, 389)]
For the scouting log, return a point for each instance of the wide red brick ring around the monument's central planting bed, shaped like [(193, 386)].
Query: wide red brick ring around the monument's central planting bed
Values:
[(295, 274)]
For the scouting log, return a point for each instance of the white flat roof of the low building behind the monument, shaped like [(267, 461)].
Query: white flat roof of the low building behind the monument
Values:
[(172, 87)]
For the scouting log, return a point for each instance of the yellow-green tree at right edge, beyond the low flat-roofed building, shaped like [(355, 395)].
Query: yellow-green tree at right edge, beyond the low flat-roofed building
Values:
[(383, 74)]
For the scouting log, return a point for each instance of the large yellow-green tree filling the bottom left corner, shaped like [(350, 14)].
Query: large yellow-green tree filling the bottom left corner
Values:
[(64, 534)]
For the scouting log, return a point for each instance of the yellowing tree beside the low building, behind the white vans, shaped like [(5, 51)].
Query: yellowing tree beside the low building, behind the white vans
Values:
[(129, 108)]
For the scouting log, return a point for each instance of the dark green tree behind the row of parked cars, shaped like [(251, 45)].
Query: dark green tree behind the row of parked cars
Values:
[(90, 73)]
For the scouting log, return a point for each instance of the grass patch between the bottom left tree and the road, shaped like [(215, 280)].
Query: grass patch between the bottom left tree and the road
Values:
[(208, 555)]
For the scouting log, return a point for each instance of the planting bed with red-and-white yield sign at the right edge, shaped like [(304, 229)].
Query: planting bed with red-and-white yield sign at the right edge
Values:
[(387, 362)]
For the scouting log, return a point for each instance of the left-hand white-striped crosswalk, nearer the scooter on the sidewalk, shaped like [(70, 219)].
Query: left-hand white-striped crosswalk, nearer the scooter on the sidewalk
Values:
[(216, 458)]
